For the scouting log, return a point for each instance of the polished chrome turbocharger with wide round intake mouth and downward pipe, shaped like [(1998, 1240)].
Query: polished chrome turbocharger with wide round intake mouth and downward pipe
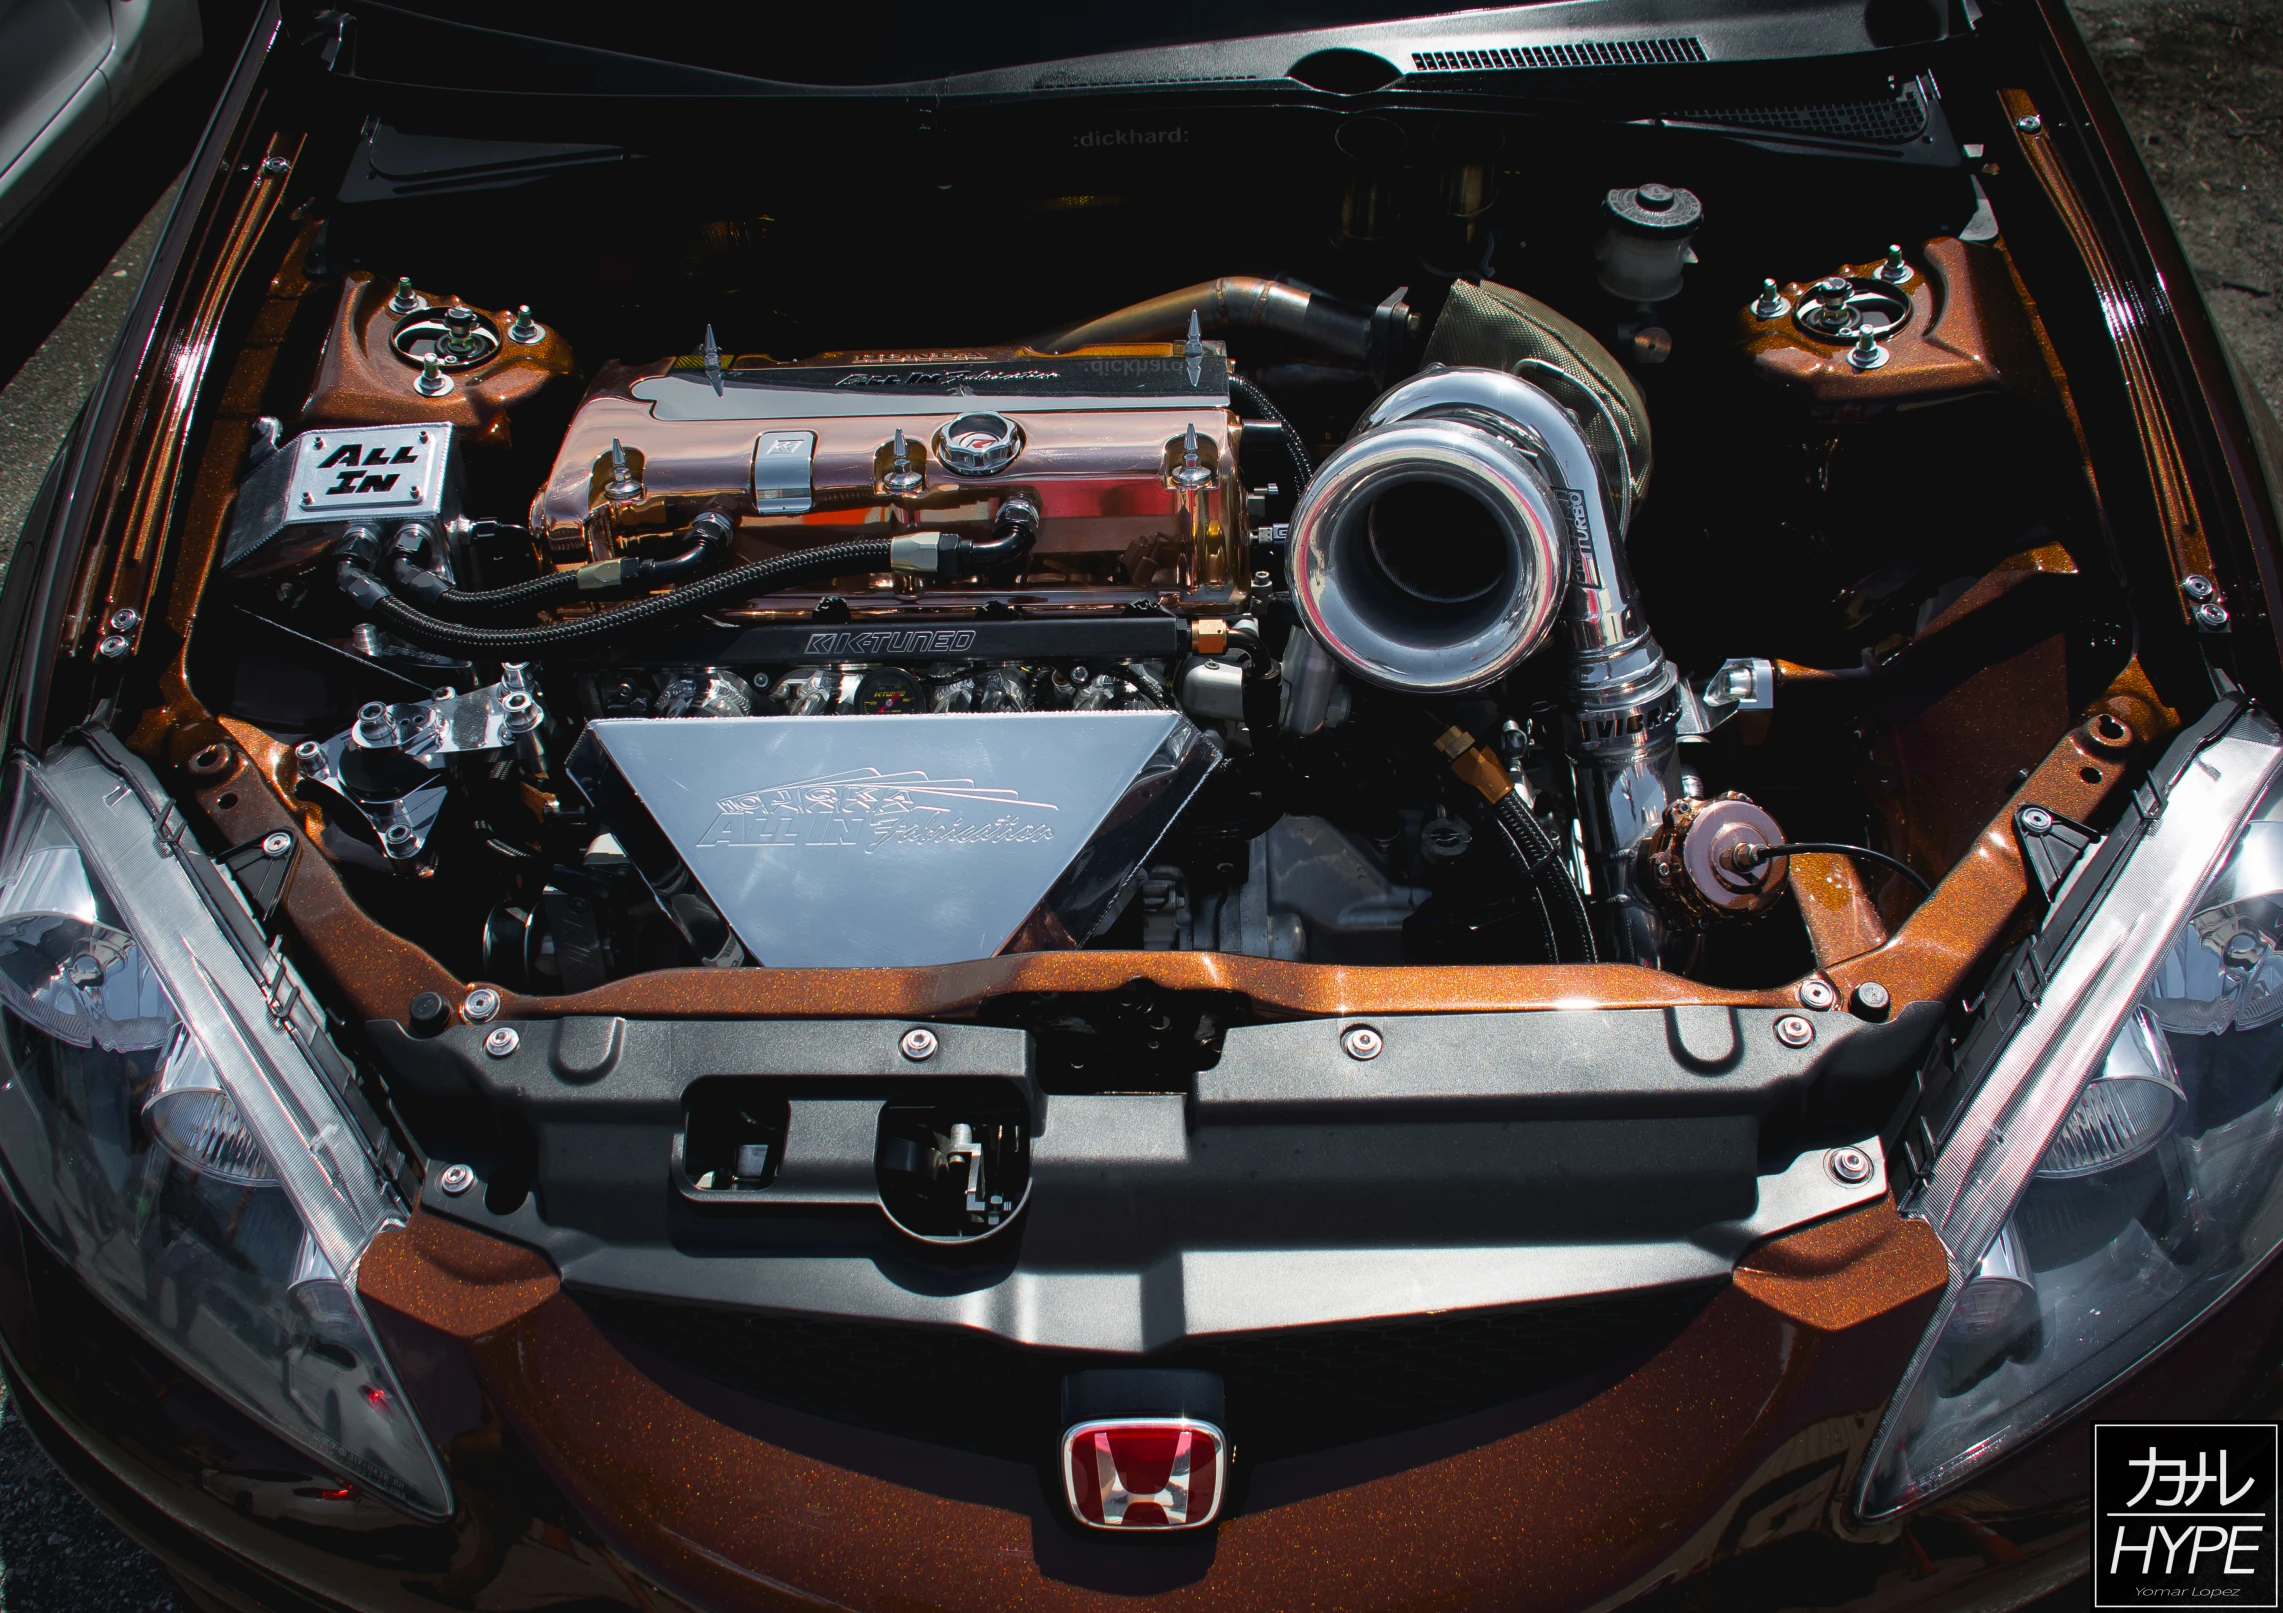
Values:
[(1446, 542)]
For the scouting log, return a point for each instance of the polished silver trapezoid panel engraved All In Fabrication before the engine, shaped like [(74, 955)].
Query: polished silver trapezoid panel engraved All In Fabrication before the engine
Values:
[(898, 841)]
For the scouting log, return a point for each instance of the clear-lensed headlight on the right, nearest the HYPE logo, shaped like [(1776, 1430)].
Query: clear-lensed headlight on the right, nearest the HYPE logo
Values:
[(2104, 1149)]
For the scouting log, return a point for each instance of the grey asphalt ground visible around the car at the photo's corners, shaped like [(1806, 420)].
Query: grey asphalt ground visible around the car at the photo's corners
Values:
[(2202, 88)]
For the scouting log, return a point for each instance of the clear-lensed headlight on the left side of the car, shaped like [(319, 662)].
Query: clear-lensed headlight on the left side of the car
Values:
[(177, 1126)]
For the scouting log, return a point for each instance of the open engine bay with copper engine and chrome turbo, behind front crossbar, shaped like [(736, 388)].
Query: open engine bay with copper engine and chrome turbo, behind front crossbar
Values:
[(1124, 638)]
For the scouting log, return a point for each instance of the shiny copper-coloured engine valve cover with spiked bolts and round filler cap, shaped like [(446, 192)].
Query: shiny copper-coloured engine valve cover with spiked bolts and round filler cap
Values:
[(798, 467)]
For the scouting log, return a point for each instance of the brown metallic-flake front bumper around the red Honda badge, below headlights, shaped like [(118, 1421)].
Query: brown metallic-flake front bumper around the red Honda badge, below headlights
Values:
[(1709, 1473)]
